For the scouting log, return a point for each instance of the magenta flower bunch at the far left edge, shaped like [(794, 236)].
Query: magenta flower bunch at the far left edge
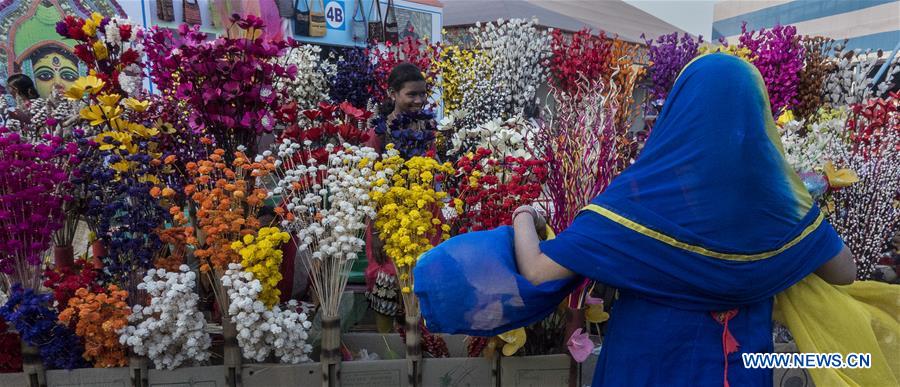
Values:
[(33, 189)]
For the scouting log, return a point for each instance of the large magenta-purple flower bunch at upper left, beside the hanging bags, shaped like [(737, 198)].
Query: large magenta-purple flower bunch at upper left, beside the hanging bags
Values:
[(229, 83)]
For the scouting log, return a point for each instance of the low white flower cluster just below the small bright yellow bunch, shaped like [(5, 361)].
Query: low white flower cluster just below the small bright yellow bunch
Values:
[(262, 331)]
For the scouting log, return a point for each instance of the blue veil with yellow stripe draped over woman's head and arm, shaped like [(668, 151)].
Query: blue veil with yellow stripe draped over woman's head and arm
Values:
[(710, 216)]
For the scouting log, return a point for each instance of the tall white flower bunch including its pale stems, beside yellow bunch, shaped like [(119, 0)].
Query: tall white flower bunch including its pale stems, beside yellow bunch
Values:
[(327, 207)]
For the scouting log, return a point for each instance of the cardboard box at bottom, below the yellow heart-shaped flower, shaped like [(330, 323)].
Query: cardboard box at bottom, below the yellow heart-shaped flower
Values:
[(535, 371)]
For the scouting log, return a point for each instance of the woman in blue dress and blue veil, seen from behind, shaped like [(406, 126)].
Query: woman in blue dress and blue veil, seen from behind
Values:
[(698, 236)]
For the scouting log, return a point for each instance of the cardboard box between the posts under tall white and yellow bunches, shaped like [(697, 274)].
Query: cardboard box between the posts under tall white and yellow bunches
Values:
[(381, 373)]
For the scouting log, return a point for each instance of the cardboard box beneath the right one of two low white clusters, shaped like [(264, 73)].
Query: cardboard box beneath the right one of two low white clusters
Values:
[(275, 375)]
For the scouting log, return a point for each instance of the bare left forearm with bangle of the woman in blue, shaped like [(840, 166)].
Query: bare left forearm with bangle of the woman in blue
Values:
[(536, 267)]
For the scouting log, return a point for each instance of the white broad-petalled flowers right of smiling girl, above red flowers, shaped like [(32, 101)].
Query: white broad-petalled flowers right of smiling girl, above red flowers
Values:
[(510, 137)]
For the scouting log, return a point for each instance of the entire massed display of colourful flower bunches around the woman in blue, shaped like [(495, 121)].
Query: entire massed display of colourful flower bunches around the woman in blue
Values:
[(190, 215)]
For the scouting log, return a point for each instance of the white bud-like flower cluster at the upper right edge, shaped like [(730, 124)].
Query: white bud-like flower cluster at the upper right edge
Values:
[(850, 82)]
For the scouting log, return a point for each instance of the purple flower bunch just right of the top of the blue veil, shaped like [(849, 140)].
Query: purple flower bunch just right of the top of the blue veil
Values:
[(779, 57)]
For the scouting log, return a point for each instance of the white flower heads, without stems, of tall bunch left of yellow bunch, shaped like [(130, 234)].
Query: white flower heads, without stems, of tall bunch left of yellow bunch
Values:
[(330, 203)]
